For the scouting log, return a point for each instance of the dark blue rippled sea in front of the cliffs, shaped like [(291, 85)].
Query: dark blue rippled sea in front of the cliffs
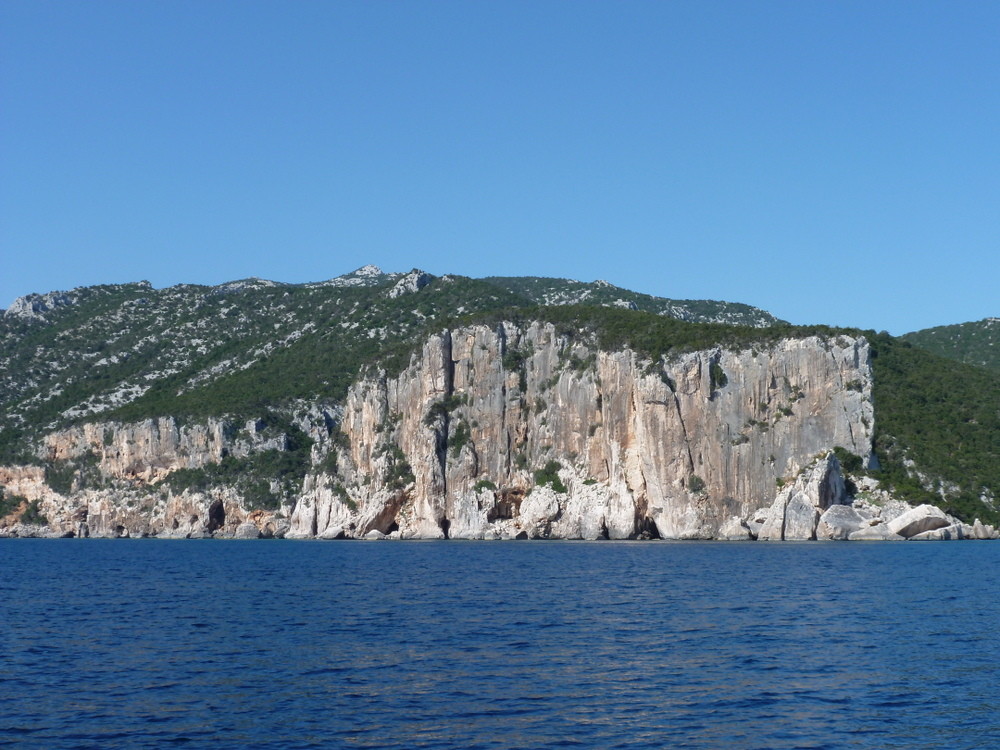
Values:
[(498, 645)]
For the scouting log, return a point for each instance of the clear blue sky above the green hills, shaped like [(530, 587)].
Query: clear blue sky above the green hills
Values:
[(834, 162)]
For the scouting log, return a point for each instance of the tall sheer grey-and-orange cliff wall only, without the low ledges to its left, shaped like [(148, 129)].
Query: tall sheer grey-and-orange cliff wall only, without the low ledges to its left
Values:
[(454, 445)]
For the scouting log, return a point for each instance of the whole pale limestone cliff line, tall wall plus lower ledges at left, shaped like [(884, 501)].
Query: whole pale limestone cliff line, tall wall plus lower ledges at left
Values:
[(500, 432)]
